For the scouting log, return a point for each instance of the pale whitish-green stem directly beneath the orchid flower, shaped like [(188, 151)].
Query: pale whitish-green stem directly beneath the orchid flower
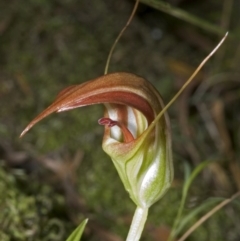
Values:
[(137, 225)]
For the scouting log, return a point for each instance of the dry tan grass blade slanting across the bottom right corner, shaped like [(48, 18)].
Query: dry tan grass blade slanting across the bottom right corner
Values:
[(208, 215)]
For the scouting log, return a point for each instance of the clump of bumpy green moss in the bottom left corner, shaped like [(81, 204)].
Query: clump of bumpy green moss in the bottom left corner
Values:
[(27, 209)]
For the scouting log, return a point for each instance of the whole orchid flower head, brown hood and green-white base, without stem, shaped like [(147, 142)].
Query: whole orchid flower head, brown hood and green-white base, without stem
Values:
[(141, 152)]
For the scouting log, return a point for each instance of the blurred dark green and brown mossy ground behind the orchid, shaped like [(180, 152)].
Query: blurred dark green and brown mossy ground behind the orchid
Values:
[(57, 174)]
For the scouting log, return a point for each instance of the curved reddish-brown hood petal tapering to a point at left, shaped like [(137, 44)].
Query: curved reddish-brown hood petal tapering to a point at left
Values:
[(119, 88)]
